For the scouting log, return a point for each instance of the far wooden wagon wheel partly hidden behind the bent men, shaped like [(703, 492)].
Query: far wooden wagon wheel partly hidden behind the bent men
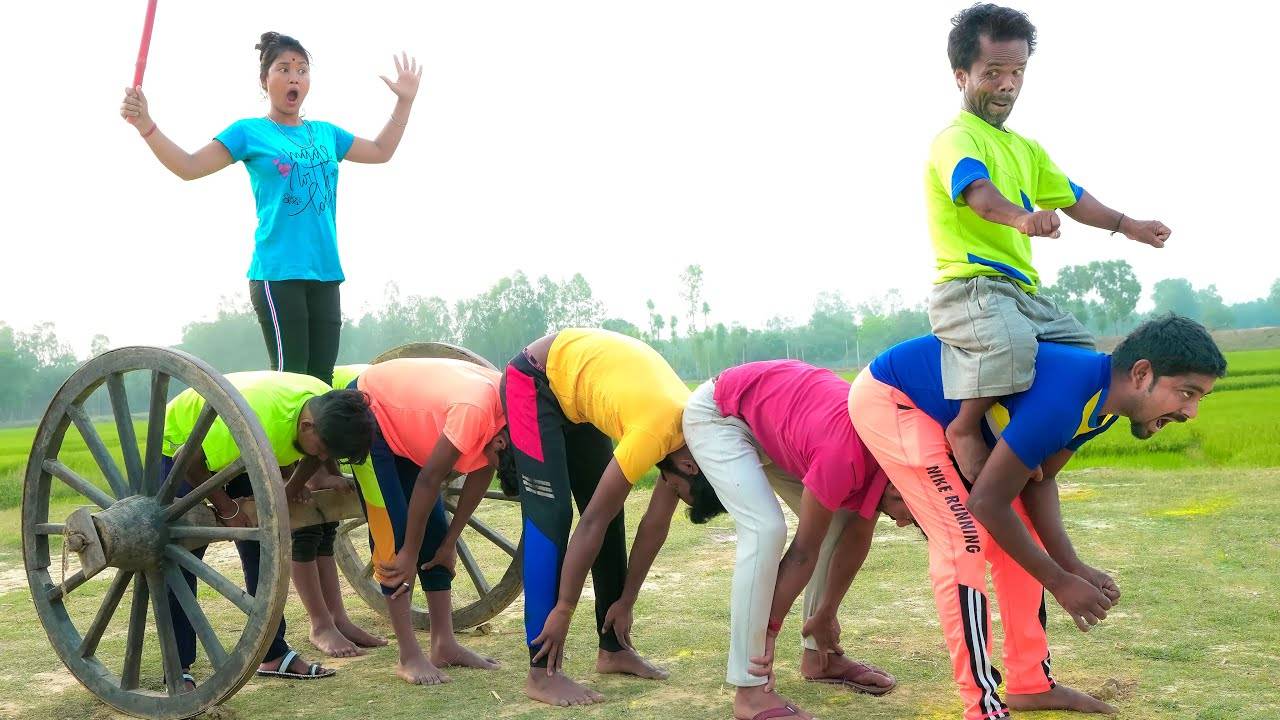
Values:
[(495, 552)]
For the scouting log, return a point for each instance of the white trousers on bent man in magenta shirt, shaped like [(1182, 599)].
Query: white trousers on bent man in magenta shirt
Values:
[(746, 481)]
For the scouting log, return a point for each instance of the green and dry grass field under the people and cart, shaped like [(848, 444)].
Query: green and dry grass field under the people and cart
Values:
[(1186, 522)]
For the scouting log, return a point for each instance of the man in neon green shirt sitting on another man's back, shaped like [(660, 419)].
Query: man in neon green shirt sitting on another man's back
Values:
[(984, 186)]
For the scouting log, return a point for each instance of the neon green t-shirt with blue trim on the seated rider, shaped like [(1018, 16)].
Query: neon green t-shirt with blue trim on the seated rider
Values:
[(967, 245)]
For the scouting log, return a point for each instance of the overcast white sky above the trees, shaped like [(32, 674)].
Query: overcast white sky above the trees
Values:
[(781, 145)]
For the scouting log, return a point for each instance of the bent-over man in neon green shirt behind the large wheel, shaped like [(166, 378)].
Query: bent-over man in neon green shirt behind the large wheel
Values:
[(307, 423)]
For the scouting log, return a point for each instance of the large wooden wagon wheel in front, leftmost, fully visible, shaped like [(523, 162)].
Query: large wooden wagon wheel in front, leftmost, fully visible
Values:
[(141, 531)]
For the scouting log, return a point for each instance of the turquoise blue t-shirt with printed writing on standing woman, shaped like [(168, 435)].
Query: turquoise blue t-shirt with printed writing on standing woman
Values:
[(294, 171)]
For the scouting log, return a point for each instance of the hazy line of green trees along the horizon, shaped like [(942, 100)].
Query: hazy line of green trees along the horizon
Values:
[(518, 309)]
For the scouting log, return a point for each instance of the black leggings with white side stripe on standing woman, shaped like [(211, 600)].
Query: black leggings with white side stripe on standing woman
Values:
[(301, 323)]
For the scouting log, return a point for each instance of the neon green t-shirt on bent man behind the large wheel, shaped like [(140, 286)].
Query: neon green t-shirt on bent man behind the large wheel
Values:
[(277, 399)]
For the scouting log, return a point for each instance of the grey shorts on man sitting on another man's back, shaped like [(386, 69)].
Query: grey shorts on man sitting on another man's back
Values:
[(991, 330)]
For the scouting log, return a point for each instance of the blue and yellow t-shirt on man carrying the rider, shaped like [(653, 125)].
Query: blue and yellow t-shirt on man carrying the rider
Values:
[(1059, 412)]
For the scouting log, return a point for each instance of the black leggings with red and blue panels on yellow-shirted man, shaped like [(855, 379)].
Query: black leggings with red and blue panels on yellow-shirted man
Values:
[(559, 459)]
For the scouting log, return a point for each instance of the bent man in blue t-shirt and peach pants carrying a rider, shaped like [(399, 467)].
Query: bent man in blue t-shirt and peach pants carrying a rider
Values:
[(1004, 520)]
